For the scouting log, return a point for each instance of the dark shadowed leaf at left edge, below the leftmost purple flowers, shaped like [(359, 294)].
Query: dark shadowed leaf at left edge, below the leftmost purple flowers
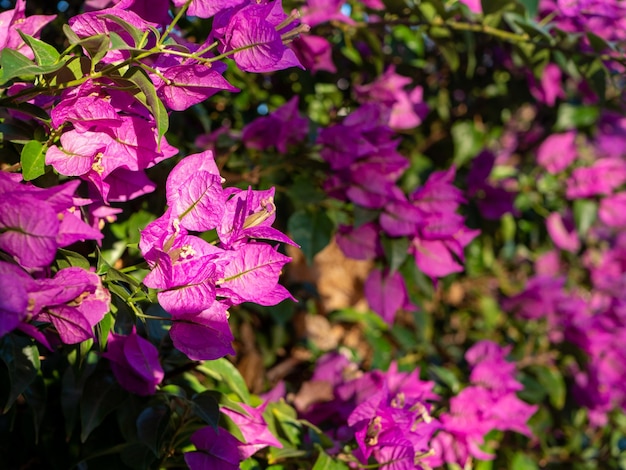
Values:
[(22, 360)]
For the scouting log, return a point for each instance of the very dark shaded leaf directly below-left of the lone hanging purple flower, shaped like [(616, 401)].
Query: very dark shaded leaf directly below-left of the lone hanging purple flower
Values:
[(101, 396)]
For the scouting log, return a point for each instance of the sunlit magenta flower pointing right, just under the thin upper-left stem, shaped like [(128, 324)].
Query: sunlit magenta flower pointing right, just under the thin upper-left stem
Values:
[(189, 84)]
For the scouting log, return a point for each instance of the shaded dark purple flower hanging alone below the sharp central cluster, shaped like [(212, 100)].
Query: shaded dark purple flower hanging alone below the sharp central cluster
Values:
[(134, 362)]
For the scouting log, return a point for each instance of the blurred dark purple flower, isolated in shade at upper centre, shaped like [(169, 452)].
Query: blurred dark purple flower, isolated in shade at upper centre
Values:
[(283, 127)]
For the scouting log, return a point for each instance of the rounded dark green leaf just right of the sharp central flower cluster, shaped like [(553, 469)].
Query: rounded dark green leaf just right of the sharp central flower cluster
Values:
[(312, 230)]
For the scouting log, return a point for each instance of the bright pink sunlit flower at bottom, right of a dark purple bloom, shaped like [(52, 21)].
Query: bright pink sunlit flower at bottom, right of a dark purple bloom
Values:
[(254, 429)]
